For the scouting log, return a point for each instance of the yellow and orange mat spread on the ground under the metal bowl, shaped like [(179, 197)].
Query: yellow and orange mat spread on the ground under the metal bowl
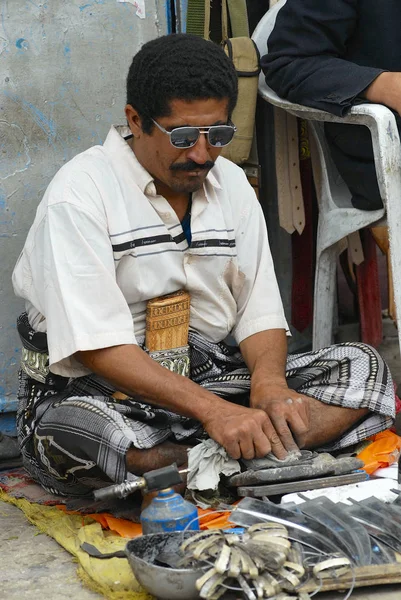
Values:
[(111, 577)]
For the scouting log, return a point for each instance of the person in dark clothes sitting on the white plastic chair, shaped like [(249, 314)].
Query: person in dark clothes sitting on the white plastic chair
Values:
[(330, 55)]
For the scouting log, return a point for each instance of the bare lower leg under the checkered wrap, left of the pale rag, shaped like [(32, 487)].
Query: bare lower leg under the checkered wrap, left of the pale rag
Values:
[(141, 461)]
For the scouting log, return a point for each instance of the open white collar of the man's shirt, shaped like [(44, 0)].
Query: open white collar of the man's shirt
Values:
[(115, 141)]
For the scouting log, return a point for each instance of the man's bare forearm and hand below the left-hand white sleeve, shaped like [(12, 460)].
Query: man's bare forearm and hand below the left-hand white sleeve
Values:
[(243, 432)]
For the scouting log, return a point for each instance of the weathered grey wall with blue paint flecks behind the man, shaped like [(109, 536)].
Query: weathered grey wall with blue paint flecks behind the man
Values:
[(63, 65)]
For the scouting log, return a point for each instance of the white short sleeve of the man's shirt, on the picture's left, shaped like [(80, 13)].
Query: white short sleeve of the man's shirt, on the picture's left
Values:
[(73, 269)]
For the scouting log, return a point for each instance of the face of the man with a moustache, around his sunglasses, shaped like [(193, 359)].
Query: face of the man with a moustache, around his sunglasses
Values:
[(179, 170)]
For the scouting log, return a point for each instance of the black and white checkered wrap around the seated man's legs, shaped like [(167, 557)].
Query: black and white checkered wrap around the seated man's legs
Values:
[(74, 435)]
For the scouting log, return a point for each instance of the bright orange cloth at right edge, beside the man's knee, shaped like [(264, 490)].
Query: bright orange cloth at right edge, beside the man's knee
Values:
[(383, 451)]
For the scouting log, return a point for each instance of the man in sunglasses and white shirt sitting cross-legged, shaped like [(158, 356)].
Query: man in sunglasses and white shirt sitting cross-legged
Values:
[(109, 235)]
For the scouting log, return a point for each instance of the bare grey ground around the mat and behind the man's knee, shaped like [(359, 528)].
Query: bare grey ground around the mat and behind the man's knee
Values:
[(33, 566)]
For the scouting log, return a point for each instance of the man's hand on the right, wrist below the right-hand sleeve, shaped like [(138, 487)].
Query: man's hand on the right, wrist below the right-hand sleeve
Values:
[(287, 410)]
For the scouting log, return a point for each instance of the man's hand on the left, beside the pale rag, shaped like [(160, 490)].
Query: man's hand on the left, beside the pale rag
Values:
[(244, 432)]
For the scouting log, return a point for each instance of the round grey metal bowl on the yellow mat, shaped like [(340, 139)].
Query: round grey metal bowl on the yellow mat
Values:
[(163, 582)]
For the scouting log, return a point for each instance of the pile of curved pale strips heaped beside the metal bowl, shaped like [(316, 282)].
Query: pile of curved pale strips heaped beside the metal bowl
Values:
[(261, 563)]
